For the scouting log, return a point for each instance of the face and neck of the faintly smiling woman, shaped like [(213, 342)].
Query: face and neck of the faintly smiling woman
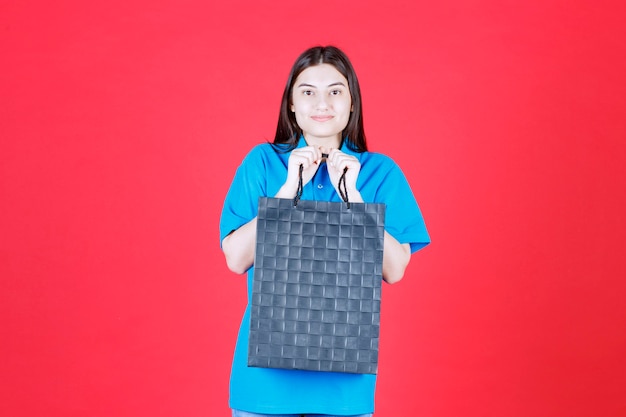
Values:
[(322, 104)]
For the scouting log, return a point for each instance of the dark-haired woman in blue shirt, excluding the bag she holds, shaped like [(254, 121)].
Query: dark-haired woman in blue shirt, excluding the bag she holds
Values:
[(320, 127)]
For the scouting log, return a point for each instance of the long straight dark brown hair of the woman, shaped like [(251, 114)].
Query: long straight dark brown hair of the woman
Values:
[(288, 132)]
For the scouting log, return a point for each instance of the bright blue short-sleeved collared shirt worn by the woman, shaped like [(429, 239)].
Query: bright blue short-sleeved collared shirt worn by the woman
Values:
[(279, 391)]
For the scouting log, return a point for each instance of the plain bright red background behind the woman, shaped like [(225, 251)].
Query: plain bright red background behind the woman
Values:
[(121, 126)]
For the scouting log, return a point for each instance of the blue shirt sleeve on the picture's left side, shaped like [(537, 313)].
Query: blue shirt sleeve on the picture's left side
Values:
[(242, 199)]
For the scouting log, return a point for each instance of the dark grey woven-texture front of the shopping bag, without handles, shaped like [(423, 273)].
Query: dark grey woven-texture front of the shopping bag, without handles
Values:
[(317, 286)]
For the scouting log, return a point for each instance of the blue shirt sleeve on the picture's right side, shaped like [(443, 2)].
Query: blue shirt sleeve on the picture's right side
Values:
[(403, 217)]
